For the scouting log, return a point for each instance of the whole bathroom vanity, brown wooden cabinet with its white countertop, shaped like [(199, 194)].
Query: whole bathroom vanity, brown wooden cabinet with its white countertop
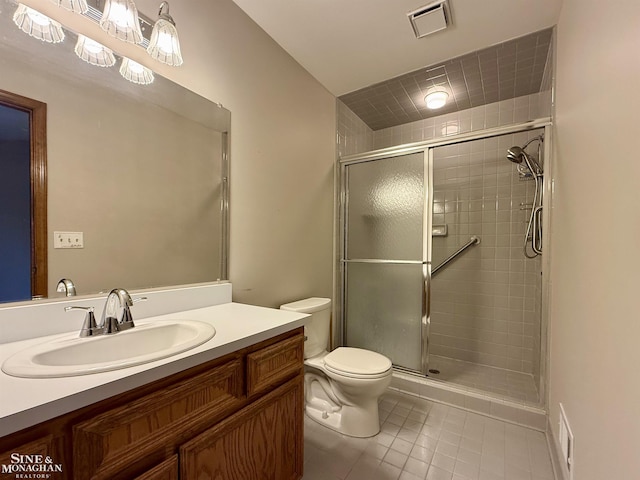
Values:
[(231, 408)]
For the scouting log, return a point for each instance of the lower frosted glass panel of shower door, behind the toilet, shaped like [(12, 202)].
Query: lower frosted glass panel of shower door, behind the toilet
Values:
[(384, 312)]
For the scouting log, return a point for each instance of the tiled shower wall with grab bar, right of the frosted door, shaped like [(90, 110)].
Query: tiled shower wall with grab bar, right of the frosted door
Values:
[(485, 304)]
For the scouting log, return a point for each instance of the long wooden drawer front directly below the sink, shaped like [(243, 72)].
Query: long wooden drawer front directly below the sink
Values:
[(124, 440)]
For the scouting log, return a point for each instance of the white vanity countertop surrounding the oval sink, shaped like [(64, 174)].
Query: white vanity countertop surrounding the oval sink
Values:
[(25, 402)]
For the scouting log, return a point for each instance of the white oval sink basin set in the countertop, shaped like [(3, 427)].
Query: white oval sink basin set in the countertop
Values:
[(70, 355)]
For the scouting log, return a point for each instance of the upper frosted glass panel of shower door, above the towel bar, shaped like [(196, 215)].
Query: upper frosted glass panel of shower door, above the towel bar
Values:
[(385, 208)]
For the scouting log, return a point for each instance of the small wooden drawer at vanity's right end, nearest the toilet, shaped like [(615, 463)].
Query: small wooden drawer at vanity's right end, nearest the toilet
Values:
[(272, 365)]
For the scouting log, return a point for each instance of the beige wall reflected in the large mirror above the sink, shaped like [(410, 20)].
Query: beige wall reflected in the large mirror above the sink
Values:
[(141, 171)]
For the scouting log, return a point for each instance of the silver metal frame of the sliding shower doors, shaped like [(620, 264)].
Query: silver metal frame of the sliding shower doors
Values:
[(427, 147)]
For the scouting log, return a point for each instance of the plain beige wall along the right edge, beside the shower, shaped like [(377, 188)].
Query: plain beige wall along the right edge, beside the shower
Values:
[(595, 324)]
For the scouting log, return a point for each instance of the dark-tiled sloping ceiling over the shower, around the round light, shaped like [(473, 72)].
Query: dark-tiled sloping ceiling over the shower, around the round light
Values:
[(500, 72)]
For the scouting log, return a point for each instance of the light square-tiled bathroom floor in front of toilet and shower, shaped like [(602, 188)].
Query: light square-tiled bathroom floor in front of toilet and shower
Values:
[(421, 439)]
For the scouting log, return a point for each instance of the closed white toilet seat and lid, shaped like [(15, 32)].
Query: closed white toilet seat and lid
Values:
[(357, 363)]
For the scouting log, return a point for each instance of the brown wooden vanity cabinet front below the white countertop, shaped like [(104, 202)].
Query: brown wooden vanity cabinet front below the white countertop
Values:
[(237, 417)]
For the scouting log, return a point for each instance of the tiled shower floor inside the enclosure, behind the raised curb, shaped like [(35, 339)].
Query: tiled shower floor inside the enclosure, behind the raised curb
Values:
[(505, 384)]
